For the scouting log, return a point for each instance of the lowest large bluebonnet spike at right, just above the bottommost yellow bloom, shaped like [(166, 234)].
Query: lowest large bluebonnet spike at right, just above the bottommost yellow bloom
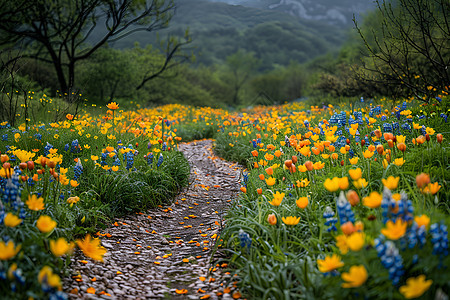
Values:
[(390, 259)]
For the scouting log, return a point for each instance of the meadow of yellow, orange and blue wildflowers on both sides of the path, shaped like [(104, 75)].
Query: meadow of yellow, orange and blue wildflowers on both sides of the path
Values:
[(336, 202)]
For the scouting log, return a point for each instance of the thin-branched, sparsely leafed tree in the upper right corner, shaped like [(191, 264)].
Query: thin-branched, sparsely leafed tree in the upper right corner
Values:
[(411, 46)]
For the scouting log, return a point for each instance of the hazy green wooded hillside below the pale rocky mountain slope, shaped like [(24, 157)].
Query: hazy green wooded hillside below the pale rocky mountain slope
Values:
[(219, 29)]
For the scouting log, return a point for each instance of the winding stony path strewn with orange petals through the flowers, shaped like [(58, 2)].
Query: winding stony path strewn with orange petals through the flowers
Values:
[(166, 250)]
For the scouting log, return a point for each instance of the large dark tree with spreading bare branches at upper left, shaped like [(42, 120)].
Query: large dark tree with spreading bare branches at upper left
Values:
[(61, 32)]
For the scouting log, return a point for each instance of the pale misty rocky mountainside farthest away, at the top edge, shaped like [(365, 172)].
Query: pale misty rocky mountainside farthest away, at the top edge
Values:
[(330, 11)]
